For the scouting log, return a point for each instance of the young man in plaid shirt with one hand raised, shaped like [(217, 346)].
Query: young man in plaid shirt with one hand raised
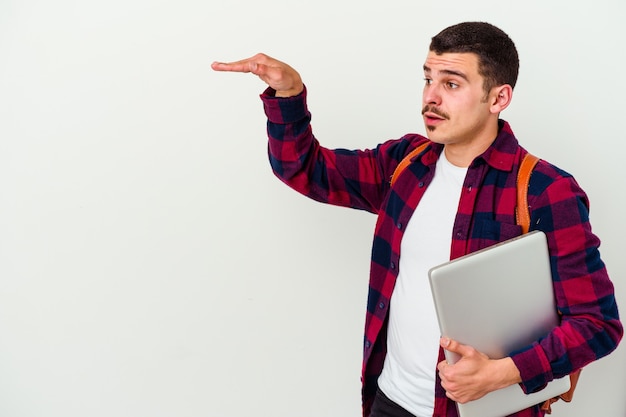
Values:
[(456, 197)]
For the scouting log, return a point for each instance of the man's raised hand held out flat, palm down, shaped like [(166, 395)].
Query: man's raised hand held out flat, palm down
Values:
[(276, 74)]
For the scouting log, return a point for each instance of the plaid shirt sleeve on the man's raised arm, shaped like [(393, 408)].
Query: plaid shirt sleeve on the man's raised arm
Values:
[(349, 178)]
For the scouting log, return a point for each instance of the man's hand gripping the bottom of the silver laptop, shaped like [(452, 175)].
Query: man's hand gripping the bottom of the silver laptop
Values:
[(474, 375)]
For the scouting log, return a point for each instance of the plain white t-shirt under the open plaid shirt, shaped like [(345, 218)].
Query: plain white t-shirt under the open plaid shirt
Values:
[(408, 376)]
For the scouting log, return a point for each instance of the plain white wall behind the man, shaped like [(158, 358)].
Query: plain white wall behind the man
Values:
[(150, 263)]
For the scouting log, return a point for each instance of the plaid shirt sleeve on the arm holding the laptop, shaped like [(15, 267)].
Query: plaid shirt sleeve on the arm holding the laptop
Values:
[(590, 326)]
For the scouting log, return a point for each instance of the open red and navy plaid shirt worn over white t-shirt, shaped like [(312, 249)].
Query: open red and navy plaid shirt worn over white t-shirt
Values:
[(360, 179)]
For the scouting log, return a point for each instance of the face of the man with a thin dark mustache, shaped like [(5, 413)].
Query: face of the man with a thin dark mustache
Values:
[(456, 109)]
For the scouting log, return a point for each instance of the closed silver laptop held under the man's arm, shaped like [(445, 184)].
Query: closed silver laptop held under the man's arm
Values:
[(498, 300)]
